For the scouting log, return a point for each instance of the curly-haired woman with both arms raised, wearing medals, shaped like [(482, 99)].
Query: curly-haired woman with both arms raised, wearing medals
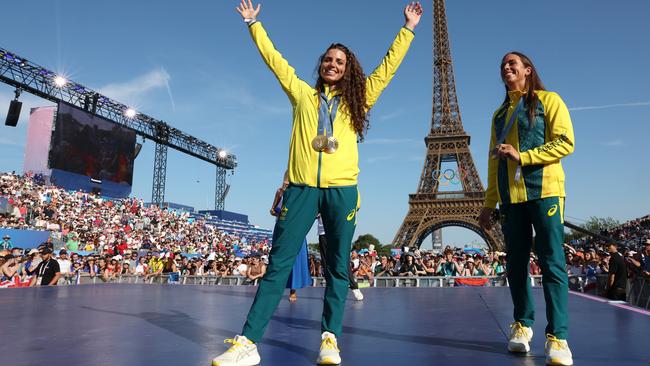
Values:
[(328, 122)]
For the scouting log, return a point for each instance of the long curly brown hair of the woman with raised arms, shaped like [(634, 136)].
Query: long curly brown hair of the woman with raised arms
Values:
[(353, 89)]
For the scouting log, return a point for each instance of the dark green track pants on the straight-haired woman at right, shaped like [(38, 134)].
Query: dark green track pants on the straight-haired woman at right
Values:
[(546, 216)]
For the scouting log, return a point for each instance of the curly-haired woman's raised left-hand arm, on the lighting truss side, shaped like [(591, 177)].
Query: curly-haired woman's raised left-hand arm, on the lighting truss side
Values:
[(285, 74)]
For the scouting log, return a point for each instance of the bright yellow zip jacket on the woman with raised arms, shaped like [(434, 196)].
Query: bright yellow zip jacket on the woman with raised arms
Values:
[(307, 166)]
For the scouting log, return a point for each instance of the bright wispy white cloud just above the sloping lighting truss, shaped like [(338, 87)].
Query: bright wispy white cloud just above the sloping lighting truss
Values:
[(132, 91)]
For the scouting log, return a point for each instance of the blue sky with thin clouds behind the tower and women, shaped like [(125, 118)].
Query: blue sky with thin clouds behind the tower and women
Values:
[(193, 65)]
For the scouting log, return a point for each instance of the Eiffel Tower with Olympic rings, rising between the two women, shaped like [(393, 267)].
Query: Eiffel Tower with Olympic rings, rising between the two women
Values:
[(431, 208)]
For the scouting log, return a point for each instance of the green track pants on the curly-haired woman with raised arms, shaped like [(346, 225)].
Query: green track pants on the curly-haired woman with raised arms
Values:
[(301, 204)]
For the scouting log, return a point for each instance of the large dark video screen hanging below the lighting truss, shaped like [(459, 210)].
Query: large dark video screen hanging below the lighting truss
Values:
[(89, 145)]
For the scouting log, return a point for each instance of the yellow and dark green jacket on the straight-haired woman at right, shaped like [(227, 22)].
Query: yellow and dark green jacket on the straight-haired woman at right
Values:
[(541, 146)]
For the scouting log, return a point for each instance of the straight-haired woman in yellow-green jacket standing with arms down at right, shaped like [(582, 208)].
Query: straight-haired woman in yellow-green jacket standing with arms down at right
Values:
[(531, 132)]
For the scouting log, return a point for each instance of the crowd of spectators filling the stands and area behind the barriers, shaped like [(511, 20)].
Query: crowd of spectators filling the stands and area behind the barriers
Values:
[(105, 238)]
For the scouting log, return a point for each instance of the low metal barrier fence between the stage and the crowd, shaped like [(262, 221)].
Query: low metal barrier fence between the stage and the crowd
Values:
[(638, 289)]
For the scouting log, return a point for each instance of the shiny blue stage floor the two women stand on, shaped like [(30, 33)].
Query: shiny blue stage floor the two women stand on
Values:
[(185, 325)]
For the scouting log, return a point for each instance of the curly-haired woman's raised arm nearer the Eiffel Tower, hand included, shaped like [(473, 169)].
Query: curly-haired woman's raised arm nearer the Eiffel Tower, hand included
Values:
[(379, 79)]
